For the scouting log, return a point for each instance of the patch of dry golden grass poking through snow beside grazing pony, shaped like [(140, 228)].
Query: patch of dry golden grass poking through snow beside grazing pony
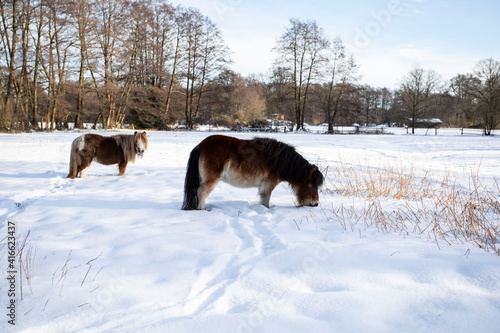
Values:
[(394, 199)]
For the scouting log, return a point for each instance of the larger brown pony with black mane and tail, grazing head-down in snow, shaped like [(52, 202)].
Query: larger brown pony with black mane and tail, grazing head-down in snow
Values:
[(260, 162)]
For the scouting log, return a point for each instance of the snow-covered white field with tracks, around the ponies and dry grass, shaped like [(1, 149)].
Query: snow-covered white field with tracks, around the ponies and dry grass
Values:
[(116, 254)]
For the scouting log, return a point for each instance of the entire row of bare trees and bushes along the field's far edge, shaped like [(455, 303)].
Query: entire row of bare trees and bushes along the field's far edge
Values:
[(150, 64)]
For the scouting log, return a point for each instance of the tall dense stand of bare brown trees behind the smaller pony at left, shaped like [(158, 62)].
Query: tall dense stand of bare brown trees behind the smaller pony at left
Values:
[(102, 61)]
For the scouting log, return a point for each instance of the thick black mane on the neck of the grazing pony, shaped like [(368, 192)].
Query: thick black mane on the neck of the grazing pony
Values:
[(283, 160)]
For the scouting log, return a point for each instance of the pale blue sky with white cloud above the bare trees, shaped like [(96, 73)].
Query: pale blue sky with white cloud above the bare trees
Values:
[(388, 38)]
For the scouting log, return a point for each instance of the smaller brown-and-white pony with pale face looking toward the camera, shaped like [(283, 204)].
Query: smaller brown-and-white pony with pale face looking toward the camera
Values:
[(116, 149)]
